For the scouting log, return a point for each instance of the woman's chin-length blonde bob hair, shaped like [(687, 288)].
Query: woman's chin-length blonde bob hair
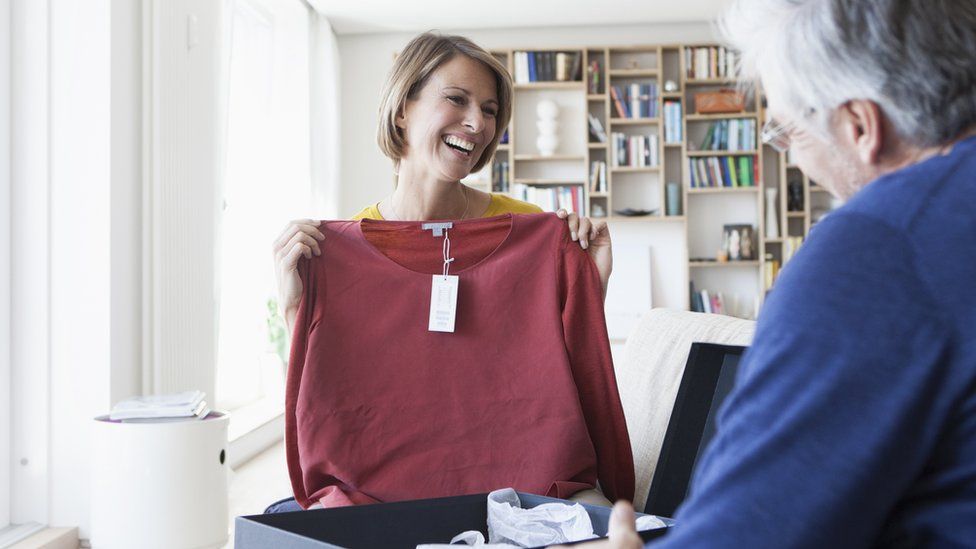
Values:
[(411, 70)]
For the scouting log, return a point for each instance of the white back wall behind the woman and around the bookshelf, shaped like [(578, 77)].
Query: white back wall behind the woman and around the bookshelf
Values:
[(657, 249)]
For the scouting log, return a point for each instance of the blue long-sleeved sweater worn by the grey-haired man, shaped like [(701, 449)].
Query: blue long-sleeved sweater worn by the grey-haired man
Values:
[(853, 420)]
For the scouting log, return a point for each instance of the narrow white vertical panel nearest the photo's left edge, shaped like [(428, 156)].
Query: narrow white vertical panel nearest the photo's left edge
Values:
[(29, 277)]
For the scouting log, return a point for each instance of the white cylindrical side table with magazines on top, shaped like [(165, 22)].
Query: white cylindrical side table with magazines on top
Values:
[(160, 484)]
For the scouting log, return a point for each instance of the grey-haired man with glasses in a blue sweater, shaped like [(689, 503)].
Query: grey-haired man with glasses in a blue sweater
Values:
[(853, 421)]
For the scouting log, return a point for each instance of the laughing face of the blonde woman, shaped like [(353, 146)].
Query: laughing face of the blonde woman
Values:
[(451, 121)]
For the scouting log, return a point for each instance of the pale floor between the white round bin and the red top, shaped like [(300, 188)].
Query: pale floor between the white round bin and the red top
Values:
[(258, 483)]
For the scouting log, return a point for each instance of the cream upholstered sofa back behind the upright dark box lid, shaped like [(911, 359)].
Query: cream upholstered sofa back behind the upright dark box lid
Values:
[(649, 373)]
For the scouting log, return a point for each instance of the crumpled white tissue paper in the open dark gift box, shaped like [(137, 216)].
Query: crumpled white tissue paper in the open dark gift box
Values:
[(511, 526)]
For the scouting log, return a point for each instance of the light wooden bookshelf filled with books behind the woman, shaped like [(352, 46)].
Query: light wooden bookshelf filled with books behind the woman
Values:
[(655, 137)]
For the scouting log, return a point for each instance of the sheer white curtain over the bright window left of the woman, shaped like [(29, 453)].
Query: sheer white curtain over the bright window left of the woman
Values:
[(266, 182)]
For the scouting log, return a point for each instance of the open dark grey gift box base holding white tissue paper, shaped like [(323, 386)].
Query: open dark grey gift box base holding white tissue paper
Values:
[(399, 525)]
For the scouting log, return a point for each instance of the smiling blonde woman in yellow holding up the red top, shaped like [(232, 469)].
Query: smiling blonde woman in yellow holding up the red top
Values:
[(444, 107)]
